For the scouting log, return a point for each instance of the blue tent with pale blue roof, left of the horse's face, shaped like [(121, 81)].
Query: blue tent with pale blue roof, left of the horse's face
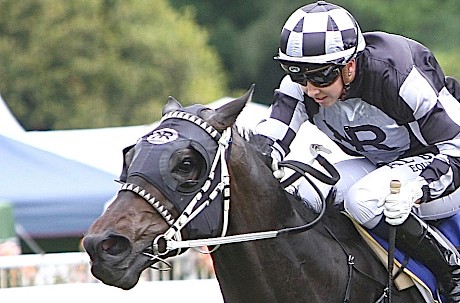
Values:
[(51, 196)]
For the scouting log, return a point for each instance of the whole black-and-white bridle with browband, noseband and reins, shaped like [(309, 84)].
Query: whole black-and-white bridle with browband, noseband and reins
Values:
[(172, 237)]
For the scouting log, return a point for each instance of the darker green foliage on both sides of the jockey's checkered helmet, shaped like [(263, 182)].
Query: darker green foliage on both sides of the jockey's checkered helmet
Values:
[(247, 48)]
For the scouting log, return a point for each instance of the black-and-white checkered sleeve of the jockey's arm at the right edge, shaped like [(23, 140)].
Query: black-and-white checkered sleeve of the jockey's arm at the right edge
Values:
[(436, 123)]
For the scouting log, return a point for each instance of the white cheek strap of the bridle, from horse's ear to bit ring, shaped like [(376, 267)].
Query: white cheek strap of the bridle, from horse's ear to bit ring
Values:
[(191, 212)]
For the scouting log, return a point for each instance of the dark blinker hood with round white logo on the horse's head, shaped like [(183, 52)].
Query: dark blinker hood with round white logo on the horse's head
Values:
[(151, 161)]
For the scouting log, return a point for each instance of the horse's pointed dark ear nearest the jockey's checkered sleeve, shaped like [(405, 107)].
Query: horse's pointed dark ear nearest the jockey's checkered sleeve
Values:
[(226, 115)]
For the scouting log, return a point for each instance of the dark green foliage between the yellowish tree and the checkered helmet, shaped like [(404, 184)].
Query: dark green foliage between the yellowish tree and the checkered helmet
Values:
[(245, 33)]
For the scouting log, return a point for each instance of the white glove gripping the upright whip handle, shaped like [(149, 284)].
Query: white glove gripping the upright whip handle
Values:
[(397, 207)]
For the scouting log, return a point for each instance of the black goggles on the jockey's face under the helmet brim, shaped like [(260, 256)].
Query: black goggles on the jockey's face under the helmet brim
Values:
[(320, 75)]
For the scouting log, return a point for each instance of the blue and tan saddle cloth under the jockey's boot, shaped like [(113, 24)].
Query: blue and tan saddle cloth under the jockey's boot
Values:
[(415, 273)]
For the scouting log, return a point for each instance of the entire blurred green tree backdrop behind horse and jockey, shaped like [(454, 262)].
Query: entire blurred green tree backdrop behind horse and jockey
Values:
[(93, 63)]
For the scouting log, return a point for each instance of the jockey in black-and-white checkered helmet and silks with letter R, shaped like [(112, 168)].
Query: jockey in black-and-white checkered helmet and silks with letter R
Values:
[(384, 99)]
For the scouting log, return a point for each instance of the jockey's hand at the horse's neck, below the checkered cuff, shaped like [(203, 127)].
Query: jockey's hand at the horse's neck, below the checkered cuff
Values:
[(268, 154)]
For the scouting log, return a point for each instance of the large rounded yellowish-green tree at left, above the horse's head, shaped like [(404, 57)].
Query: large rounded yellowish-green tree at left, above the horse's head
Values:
[(94, 63)]
